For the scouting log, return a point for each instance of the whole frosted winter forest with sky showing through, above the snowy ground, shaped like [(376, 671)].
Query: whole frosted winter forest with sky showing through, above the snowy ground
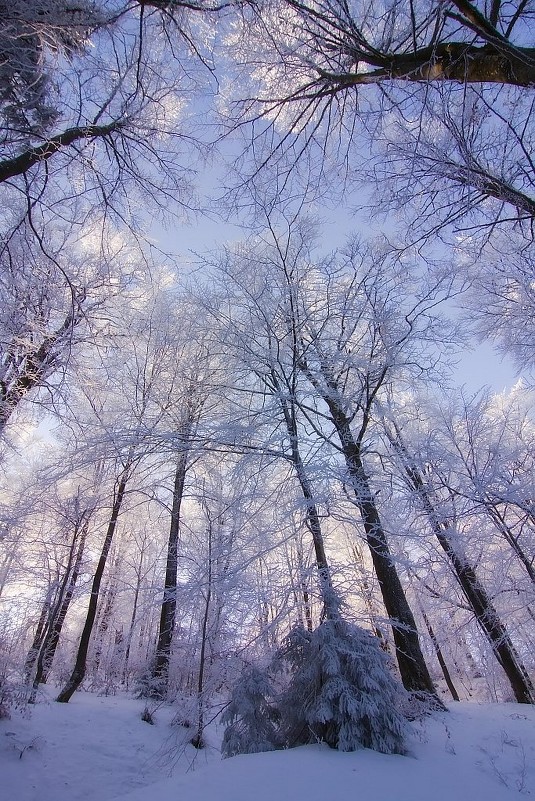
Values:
[(250, 253)]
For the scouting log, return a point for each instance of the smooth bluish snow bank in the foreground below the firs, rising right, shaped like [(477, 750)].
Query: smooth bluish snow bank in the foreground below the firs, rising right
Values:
[(473, 754)]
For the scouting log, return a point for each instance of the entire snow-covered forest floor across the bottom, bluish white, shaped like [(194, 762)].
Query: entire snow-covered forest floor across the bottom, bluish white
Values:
[(99, 749)]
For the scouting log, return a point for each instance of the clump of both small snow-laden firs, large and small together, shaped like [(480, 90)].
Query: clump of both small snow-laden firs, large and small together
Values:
[(336, 688)]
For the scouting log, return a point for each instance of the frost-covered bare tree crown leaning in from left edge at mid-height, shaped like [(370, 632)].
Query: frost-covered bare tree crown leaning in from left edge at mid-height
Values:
[(48, 313)]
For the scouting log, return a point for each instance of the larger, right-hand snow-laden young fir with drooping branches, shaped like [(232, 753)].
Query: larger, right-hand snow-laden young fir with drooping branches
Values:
[(341, 690)]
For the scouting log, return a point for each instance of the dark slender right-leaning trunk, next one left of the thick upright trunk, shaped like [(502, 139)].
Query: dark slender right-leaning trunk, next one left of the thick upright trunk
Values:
[(78, 673)]
